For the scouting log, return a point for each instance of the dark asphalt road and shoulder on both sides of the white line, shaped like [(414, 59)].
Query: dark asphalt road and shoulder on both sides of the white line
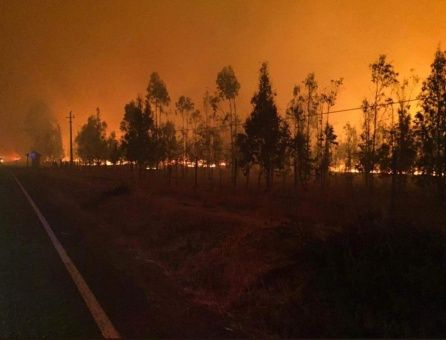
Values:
[(38, 298)]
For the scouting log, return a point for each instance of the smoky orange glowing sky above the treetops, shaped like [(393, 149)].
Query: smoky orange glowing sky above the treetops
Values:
[(77, 55)]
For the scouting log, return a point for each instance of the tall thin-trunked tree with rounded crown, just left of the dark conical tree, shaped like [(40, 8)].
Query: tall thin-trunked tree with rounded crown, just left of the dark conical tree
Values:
[(228, 87)]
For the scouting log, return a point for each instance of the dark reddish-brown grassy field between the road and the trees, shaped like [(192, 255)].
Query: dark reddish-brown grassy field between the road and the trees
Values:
[(332, 261)]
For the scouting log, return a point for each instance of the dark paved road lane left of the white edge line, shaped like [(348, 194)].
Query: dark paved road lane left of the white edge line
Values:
[(37, 296)]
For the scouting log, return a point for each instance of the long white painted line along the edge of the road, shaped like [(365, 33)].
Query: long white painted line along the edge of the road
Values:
[(103, 322)]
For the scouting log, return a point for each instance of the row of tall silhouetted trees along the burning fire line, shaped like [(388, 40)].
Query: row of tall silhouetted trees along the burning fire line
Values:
[(302, 142)]
